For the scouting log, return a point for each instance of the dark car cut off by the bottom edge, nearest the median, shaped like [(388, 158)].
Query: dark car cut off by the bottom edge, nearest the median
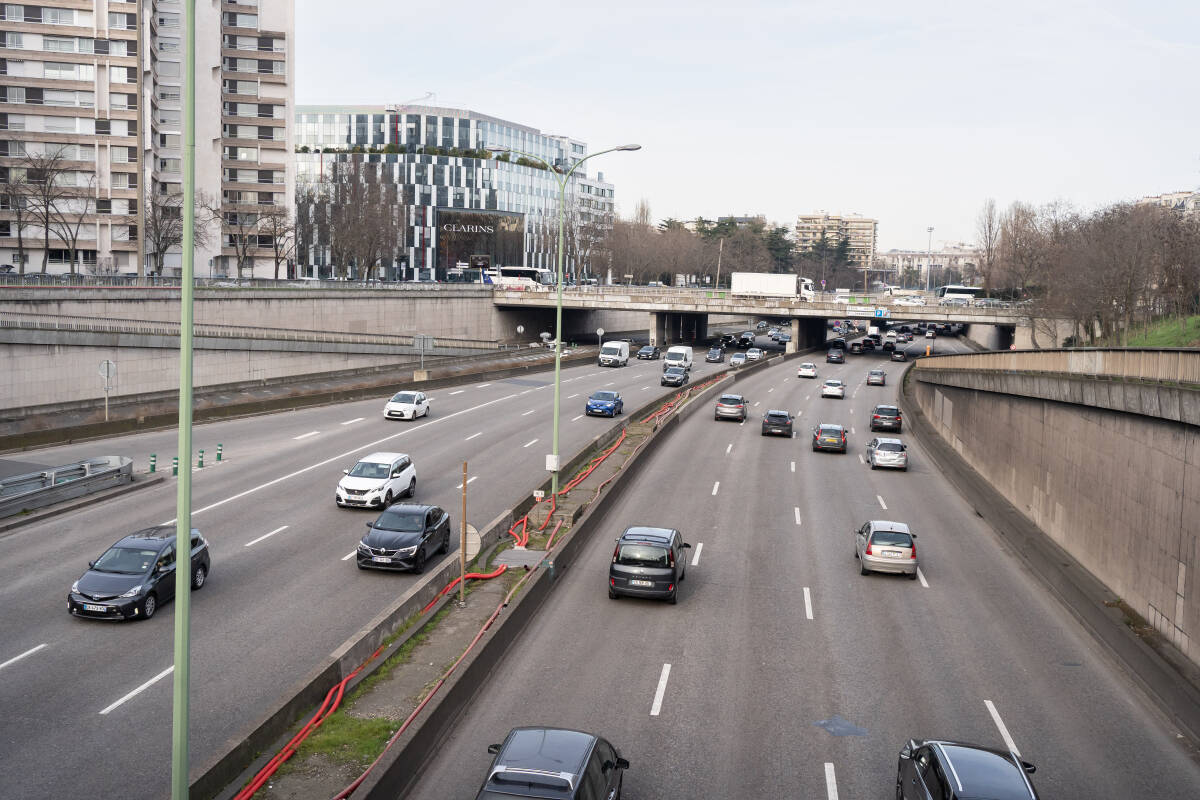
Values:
[(554, 765)]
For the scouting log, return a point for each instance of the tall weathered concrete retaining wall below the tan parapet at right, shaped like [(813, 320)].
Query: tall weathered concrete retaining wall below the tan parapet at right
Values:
[(1119, 491)]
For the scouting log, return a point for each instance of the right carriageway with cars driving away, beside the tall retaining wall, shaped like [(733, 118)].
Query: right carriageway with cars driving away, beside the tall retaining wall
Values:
[(783, 672)]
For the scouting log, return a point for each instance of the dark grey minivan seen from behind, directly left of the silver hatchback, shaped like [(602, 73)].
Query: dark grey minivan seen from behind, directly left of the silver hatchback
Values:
[(649, 563)]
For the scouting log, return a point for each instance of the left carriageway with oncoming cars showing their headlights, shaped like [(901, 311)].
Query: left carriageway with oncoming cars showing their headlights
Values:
[(87, 705)]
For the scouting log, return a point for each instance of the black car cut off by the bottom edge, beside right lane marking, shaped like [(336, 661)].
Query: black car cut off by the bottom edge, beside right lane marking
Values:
[(956, 771)]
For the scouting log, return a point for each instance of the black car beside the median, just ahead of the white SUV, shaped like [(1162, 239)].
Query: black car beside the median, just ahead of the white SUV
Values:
[(404, 538)]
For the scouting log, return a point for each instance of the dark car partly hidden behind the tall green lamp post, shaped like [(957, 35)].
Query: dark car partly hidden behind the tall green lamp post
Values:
[(136, 576)]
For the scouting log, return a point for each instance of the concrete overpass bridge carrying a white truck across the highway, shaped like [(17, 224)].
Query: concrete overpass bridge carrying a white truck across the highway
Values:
[(676, 315)]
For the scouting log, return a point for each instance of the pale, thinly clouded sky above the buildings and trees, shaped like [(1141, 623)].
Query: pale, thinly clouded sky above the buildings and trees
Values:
[(913, 113)]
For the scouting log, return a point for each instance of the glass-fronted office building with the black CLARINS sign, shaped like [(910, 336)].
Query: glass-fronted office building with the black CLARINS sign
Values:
[(460, 203)]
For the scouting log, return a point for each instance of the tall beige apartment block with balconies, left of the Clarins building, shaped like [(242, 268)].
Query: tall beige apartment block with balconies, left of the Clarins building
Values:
[(92, 135)]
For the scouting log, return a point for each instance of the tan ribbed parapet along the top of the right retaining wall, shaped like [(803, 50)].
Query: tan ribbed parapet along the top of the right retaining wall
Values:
[(1177, 366)]
